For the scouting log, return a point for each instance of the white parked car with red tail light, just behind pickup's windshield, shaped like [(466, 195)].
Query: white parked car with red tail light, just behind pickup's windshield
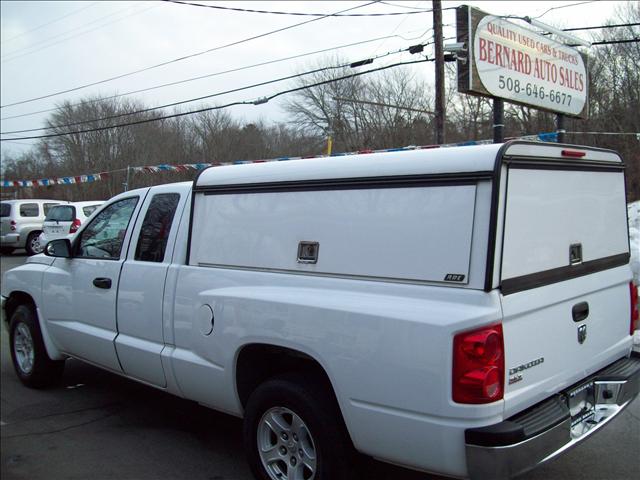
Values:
[(63, 220)]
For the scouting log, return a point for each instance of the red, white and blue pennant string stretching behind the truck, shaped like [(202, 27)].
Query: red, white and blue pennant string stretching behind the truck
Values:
[(95, 177)]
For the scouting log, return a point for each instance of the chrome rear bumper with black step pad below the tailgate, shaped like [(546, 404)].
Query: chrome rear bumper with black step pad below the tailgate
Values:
[(546, 430)]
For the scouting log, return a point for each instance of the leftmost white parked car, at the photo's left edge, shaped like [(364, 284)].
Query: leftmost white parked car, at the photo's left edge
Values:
[(21, 224)]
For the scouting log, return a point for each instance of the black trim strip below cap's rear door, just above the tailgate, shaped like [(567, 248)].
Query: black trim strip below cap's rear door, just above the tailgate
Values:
[(555, 275)]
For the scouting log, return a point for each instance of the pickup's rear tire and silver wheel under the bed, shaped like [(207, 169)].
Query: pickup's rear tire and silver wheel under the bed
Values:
[(293, 430)]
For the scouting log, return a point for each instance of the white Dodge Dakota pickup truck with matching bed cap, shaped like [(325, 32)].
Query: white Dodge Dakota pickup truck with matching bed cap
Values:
[(465, 311)]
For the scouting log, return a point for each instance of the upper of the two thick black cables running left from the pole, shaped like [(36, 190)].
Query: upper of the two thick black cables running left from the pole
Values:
[(268, 82)]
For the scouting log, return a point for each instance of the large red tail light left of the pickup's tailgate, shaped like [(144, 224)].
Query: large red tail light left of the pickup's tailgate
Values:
[(478, 365)]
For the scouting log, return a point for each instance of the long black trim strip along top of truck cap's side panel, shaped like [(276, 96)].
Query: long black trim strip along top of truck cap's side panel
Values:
[(357, 183)]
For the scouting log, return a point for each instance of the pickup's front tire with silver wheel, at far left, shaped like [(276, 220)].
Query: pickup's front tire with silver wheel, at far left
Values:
[(30, 359)]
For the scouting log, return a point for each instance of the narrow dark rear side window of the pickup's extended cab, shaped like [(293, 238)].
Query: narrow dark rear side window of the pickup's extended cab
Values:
[(156, 227)]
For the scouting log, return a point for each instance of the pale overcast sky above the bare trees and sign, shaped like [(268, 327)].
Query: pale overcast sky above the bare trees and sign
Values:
[(51, 46)]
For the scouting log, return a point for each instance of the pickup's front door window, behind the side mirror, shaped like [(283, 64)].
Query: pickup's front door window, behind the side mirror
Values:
[(104, 236)]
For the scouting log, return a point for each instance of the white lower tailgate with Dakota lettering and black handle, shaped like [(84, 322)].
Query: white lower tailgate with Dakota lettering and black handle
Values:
[(547, 350)]
